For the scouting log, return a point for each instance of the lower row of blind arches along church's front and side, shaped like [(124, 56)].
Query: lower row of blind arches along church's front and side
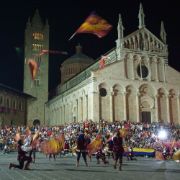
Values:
[(137, 104)]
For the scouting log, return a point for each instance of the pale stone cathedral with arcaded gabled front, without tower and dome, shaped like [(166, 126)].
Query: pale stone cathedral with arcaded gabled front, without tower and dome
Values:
[(132, 81)]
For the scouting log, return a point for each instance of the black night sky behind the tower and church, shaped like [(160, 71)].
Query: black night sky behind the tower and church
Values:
[(66, 16)]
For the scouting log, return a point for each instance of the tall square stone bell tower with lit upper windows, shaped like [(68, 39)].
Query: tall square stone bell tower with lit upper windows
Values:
[(36, 64)]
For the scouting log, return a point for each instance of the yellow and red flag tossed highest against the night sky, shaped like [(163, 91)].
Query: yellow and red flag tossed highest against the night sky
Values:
[(94, 24)]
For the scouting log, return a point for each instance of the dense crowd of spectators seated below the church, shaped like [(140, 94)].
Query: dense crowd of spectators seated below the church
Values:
[(141, 135)]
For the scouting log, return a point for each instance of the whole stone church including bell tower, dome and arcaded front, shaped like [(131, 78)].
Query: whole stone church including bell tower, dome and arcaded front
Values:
[(132, 81)]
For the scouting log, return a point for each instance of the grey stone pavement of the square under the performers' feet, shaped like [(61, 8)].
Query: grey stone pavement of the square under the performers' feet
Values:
[(64, 169)]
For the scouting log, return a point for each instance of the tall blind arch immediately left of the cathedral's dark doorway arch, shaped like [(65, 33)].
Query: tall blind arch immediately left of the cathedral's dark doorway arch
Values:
[(131, 103)]
